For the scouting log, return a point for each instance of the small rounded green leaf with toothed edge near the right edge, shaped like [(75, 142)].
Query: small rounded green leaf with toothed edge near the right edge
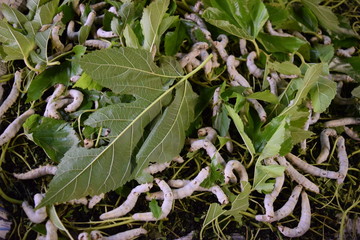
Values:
[(322, 93)]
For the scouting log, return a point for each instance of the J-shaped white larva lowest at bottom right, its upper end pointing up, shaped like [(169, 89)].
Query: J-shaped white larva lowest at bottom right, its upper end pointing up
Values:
[(305, 219)]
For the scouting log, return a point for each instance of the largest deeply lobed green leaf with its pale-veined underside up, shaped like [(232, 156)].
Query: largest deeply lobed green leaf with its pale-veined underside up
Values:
[(149, 129)]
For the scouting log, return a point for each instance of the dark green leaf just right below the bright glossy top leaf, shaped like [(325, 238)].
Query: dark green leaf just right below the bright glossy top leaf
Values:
[(288, 44)]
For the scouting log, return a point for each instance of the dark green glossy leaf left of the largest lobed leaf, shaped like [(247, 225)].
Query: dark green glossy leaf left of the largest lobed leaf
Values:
[(56, 137)]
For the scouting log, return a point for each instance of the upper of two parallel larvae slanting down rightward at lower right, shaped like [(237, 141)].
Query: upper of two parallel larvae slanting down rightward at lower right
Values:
[(308, 168)]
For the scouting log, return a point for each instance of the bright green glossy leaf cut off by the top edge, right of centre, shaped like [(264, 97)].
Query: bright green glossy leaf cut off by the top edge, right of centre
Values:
[(242, 18)]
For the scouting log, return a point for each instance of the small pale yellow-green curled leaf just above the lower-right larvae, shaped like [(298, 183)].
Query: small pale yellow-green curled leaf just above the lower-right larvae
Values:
[(263, 174)]
